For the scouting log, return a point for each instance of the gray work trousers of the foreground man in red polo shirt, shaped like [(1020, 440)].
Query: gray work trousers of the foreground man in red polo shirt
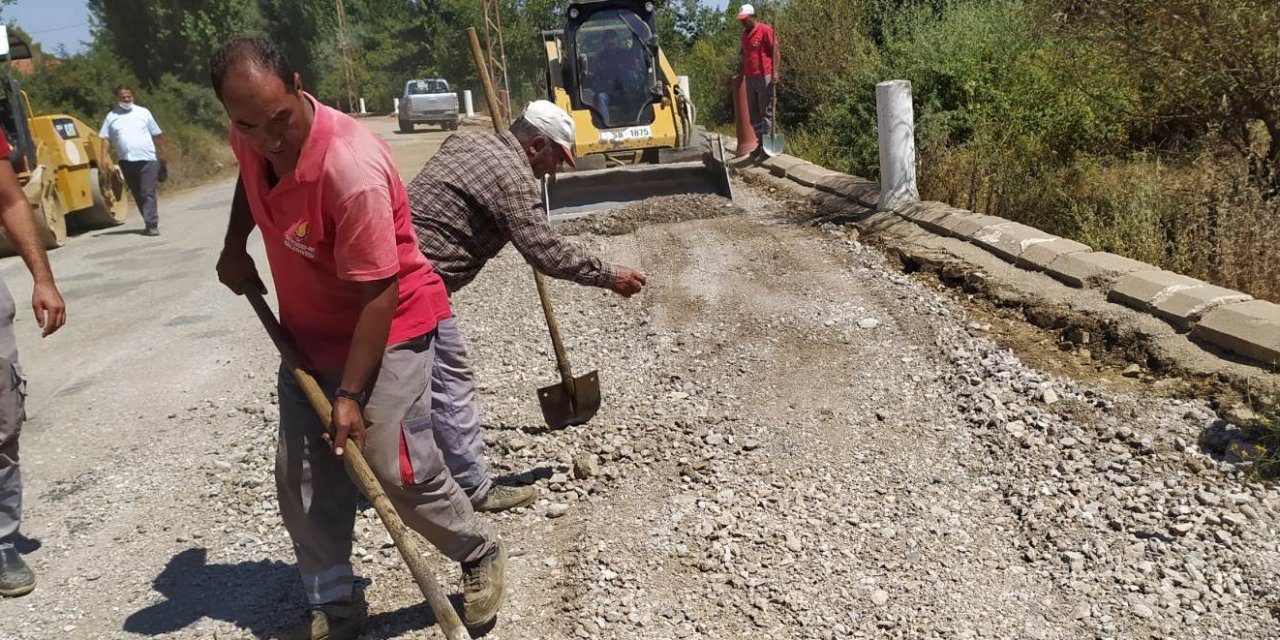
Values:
[(318, 500)]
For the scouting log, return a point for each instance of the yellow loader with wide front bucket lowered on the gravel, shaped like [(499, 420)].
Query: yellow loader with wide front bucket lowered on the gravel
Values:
[(637, 127)]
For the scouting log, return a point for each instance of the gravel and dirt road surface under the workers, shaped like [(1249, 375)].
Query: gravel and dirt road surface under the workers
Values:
[(797, 442)]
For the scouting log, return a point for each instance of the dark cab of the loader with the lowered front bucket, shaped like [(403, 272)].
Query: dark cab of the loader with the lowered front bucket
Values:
[(611, 68)]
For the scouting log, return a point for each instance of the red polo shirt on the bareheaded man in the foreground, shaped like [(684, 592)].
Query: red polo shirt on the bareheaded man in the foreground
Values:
[(340, 220)]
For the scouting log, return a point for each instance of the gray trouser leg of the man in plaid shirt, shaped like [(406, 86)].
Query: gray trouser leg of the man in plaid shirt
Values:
[(455, 415)]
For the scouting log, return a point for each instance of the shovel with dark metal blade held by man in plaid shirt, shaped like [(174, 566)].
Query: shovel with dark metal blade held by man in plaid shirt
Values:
[(575, 400)]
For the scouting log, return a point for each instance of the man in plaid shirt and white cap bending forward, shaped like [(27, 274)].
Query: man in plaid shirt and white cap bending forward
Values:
[(473, 198)]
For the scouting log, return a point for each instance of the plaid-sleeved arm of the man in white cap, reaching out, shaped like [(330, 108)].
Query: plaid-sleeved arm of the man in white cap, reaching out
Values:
[(520, 214)]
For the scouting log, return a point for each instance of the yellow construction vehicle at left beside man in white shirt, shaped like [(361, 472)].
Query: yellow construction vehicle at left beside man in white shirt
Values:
[(58, 162)]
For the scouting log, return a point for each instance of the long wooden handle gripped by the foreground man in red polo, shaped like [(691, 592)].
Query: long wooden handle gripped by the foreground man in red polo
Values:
[(359, 469)]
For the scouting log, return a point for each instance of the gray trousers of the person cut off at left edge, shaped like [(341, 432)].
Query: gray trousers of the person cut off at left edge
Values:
[(13, 394)]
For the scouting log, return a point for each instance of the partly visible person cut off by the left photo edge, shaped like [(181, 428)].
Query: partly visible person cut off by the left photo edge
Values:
[(20, 225)]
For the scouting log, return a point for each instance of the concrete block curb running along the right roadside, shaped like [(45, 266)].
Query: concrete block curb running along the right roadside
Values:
[(1217, 317)]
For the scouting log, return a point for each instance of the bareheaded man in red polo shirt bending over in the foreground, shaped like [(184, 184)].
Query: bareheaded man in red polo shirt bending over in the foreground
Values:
[(362, 305)]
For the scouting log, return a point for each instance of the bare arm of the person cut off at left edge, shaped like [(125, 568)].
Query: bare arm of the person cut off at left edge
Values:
[(20, 225)]
